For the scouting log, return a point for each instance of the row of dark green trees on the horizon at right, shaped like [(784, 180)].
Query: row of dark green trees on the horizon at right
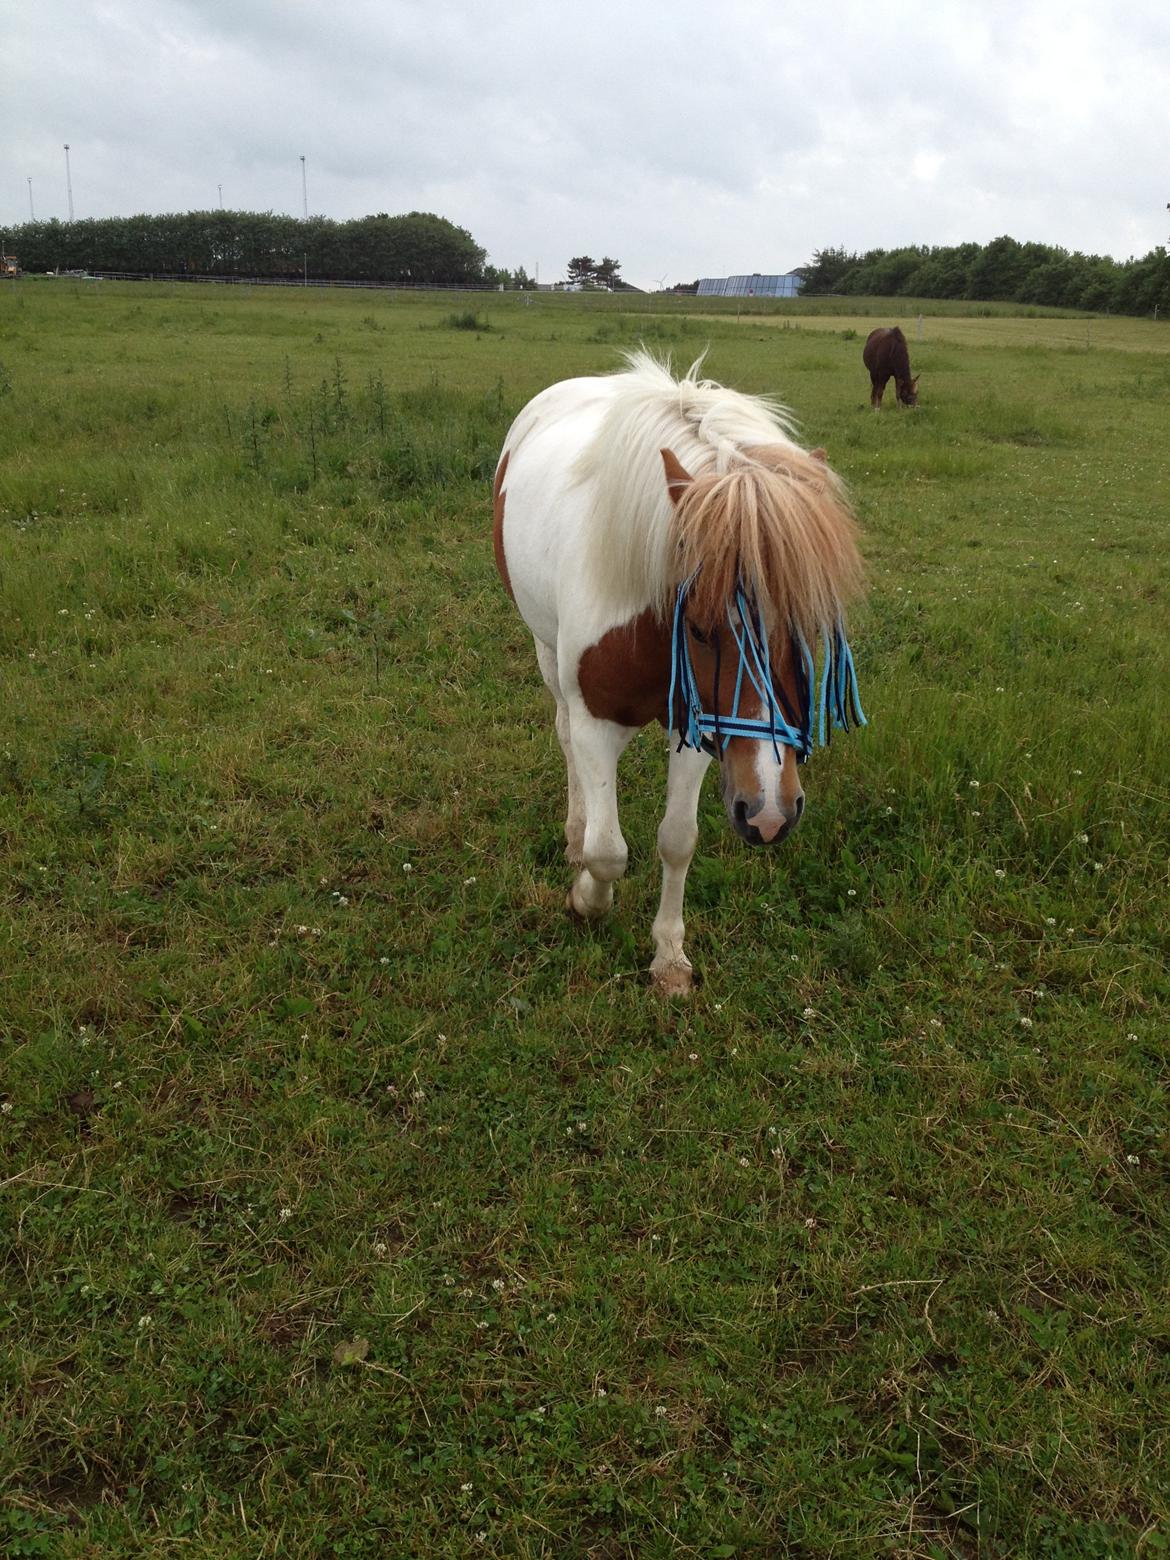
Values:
[(999, 271)]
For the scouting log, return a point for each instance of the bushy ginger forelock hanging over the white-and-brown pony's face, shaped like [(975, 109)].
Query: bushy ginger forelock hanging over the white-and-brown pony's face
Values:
[(778, 522)]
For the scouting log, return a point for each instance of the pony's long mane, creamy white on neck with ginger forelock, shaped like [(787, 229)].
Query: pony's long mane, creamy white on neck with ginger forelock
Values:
[(760, 508)]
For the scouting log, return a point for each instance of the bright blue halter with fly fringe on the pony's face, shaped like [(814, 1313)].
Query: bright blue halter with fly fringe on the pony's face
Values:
[(838, 703)]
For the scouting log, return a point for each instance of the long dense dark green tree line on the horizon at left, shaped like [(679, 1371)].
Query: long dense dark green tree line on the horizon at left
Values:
[(409, 250)]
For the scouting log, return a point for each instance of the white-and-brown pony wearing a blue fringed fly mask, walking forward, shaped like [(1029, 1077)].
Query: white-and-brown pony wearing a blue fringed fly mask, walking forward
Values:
[(678, 558)]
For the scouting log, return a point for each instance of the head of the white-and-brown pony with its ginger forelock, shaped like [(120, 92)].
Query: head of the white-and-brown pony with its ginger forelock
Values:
[(768, 558)]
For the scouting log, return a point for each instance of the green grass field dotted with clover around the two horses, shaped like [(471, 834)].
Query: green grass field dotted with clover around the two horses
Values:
[(353, 1202)]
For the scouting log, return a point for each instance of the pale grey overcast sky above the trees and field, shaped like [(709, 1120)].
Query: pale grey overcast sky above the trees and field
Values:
[(689, 140)]
